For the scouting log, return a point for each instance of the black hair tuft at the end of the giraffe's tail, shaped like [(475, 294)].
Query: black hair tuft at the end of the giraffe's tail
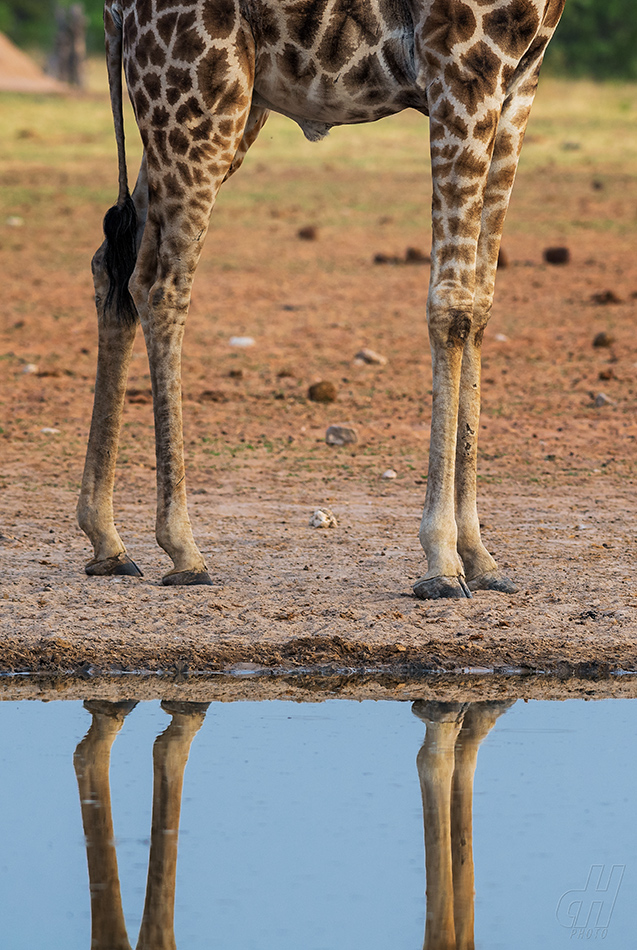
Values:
[(120, 230)]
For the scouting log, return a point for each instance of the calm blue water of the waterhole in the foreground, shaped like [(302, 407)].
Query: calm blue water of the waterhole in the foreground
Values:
[(302, 825)]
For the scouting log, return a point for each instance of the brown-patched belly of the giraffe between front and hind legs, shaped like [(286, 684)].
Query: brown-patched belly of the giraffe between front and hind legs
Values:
[(347, 66)]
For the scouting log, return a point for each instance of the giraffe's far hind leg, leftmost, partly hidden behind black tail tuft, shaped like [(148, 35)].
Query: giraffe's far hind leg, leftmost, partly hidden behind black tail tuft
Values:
[(115, 345)]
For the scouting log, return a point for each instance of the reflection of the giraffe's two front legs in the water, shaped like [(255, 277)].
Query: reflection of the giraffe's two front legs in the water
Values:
[(446, 766)]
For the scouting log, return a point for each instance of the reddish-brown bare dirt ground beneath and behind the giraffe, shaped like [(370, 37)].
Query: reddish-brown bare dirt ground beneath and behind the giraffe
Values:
[(557, 454)]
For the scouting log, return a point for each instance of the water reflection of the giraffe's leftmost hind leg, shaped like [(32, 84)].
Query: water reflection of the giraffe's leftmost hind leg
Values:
[(92, 764)]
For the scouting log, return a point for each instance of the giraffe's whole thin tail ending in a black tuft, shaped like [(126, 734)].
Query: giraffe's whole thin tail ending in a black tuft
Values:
[(120, 222)]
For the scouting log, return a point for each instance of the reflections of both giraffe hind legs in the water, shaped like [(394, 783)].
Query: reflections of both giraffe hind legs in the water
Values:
[(92, 765)]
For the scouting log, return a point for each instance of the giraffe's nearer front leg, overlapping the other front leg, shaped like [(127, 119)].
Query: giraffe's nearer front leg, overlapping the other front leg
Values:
[(459, 175)]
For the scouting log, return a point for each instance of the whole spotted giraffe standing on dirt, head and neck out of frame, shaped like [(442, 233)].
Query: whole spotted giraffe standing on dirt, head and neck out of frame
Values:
[(203, 76)]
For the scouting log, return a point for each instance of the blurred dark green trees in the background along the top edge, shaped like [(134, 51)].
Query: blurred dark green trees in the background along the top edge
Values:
[(596, 38)]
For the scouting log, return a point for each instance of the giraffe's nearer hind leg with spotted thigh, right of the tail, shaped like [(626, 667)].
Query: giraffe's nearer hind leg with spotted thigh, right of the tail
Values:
[(187, 162)]
